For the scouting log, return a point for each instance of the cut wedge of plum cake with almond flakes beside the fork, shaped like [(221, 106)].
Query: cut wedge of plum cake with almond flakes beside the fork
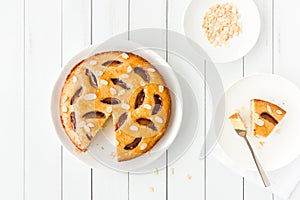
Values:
[(264, 117)]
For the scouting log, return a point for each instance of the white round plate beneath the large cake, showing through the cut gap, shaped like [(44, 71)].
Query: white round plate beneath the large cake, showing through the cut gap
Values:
[(102, 149)]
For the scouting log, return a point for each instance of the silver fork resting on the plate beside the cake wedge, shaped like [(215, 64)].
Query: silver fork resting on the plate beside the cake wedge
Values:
[(243, 133)]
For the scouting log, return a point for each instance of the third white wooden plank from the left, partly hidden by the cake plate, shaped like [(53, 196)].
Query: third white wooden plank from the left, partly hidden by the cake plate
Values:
[(75, 36)]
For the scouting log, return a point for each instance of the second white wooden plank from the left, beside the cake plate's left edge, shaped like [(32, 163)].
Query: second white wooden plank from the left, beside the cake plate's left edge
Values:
[(43, 55)]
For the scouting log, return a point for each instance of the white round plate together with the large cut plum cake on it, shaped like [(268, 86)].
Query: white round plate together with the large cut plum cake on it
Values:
[(102, 147)]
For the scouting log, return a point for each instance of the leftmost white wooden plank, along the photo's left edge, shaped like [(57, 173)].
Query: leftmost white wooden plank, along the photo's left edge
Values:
[(12, 101)]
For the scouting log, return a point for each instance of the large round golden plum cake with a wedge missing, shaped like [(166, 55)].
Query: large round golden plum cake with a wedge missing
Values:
[(118, 84)]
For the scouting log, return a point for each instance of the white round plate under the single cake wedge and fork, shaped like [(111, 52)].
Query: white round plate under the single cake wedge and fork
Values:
[(282, 146)]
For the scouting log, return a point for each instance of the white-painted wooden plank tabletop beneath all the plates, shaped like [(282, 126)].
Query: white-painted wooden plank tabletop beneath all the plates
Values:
[(38, 37)]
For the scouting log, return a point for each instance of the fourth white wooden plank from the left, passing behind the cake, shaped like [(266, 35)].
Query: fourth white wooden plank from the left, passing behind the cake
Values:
[(109, 17)]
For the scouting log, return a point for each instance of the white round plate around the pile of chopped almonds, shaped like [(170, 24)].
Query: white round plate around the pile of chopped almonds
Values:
[(238, 46)]
